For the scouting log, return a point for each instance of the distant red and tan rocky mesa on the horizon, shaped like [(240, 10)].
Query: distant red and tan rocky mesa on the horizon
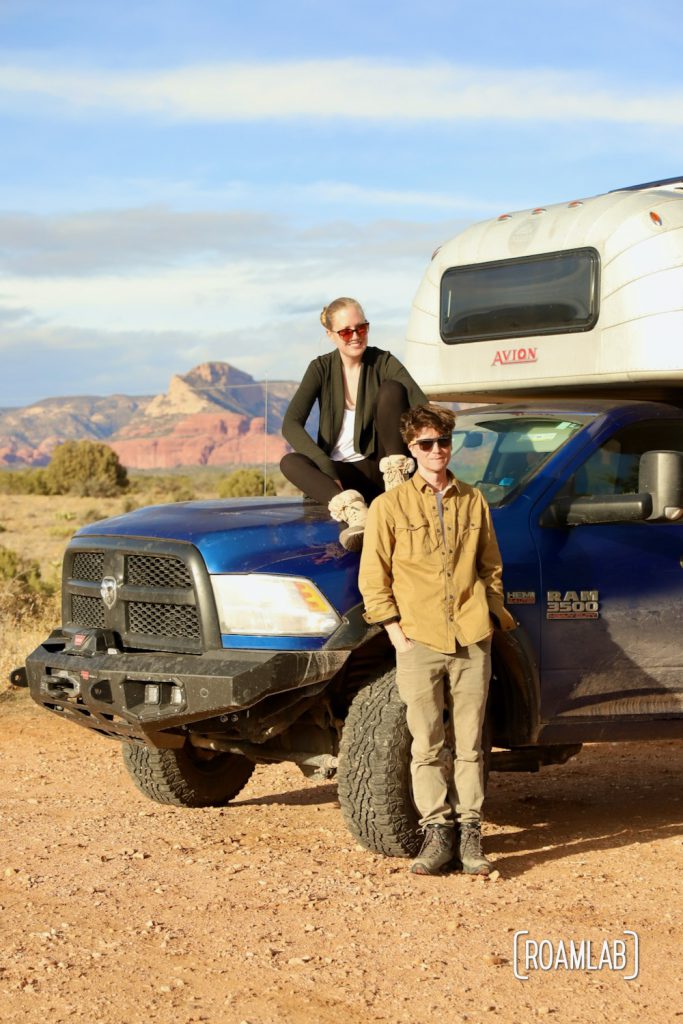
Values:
[(215, 415)]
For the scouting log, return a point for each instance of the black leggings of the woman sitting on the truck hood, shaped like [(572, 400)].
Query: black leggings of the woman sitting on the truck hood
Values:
[(364, 476)]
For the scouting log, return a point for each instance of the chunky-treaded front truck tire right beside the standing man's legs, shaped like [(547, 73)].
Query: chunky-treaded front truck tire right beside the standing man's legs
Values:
[(374, 772)]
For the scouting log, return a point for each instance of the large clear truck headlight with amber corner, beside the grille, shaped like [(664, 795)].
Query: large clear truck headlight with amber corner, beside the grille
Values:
[(270, 606)]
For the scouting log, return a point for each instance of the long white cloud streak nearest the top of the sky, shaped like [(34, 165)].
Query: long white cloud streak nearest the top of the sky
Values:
[(350, 89)]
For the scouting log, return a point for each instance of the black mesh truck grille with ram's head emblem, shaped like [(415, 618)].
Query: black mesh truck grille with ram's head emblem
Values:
[(155, 598)]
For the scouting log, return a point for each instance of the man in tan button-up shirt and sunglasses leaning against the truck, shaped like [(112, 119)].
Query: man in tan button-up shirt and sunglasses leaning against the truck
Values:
[(432, 575)]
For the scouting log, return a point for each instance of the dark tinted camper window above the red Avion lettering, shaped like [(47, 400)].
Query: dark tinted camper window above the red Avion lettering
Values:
[(551, 293)]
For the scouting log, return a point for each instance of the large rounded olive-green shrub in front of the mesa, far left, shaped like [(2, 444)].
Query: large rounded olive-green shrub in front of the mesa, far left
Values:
[(88, 468)]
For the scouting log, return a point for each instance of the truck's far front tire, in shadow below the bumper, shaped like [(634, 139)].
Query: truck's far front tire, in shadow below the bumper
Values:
[(187, 778)]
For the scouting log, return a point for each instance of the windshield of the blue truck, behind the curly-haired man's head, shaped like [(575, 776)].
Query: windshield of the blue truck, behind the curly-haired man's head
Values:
[(497, 453)]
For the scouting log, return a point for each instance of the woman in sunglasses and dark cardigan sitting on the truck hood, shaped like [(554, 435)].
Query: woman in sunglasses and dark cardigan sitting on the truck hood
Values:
[(362, 393)]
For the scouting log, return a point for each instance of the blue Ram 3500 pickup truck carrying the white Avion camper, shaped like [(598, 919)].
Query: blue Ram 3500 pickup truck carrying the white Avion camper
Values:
[(208, 637)]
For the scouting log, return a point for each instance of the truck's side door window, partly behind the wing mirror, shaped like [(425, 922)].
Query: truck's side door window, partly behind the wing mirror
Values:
[(614, 468)]
